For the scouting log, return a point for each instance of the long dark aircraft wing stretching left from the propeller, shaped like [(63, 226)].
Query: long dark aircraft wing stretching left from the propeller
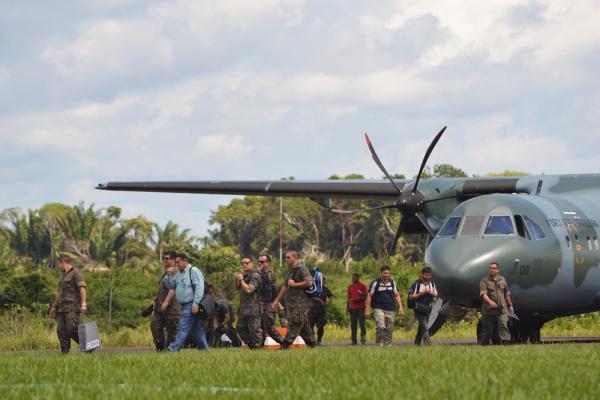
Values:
[(358, 189)]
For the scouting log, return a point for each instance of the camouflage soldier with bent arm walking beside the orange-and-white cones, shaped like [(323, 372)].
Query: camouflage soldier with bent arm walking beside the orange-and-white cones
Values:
[(298, 303)]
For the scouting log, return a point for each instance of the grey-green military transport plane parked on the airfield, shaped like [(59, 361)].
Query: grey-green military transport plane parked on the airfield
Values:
[(542, 230)]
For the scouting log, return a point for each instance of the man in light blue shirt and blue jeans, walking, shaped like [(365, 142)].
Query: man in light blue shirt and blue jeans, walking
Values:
[(188, 284)]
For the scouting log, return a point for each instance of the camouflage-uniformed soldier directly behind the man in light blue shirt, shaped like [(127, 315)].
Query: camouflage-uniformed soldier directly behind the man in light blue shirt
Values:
[(167, 311)]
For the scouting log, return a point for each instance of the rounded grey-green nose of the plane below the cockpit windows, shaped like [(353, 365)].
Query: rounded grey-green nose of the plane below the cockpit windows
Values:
[(457, 269)]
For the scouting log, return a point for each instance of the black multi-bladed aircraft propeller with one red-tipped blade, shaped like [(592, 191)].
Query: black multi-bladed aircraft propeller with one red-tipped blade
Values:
[(409, 203)]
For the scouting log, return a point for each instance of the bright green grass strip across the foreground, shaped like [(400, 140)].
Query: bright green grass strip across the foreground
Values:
[(344, 372)]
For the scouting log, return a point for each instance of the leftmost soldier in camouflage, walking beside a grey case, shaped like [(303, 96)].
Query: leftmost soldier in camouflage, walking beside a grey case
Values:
[(69, 302)]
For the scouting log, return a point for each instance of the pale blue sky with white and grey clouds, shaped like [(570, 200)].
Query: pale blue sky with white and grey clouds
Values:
[(103, 90)]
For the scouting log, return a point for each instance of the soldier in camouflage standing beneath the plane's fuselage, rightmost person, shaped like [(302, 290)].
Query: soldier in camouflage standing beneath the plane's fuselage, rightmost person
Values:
[(496, 303)]
